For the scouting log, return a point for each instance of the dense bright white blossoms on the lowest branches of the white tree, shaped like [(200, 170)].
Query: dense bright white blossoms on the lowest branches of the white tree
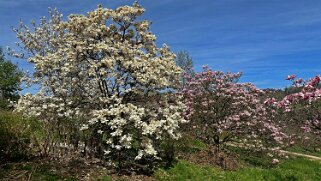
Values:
[(123, 123)]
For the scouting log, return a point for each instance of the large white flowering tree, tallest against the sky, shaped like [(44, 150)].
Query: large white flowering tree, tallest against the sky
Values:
[(104, 69)]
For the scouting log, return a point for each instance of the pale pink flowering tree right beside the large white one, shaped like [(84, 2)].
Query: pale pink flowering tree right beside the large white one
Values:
[(220, 109)]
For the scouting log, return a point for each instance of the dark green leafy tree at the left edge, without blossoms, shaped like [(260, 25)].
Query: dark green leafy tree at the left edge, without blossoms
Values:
[(10, 76)]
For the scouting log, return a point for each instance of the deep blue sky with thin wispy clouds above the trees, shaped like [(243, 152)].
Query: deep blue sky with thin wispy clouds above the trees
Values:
[(266, 40)]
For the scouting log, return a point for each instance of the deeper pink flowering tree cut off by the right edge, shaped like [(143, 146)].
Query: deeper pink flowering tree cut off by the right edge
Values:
[(303, 107)]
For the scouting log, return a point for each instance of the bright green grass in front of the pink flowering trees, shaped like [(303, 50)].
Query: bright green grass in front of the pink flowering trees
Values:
[(295, 169)]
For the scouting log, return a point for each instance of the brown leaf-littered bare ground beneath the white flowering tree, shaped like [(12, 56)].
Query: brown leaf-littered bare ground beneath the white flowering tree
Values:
[(74, 169)]
